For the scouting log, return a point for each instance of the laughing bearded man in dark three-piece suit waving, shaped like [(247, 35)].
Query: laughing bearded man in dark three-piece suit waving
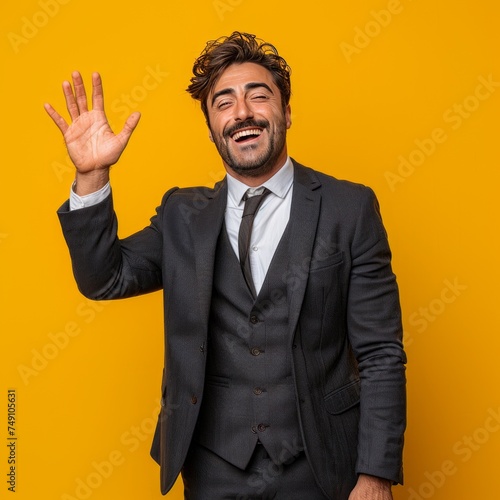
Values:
[(284, 368)]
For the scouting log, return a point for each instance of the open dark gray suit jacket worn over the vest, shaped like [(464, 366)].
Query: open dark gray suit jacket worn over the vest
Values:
[(345, 334)]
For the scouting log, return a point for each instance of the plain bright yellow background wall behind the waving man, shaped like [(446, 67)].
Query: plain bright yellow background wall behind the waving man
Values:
[(360, 103)]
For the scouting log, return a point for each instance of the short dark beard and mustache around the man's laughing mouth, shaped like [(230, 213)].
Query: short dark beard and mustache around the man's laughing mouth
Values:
[(245, 162)]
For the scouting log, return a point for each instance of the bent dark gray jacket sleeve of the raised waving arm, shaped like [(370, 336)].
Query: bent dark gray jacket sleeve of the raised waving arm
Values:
[(104, 266)]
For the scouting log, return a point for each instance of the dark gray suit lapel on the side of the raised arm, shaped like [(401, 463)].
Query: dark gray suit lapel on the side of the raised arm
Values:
[(205, 230)]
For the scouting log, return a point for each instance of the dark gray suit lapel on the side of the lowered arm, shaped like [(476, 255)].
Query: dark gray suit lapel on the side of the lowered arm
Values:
[(304, 216)]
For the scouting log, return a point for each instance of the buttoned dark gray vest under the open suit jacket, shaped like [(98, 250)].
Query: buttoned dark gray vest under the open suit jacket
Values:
[(249, 393)]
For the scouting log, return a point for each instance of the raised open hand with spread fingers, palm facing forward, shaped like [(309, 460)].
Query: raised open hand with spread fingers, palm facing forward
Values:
[(92, 146)]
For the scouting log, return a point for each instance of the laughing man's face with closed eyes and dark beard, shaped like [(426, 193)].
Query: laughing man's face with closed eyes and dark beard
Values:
[(247, 121)]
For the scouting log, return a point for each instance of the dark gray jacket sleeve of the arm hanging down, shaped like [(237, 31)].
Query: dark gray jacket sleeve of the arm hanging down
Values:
[(375, 333)]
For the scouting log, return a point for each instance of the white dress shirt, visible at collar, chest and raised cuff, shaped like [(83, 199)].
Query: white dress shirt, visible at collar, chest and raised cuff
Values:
[(269, 223)]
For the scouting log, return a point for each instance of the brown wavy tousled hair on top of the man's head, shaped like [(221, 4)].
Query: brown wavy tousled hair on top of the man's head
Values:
[(237, 48)]
